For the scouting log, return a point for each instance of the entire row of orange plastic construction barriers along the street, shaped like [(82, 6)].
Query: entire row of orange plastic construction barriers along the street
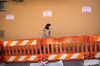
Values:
[(52, 49)]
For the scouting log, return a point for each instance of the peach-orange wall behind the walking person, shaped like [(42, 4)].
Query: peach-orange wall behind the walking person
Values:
[(67, 18)]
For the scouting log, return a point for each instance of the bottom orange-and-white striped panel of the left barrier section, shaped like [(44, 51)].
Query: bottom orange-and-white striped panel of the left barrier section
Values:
[(24, 58)]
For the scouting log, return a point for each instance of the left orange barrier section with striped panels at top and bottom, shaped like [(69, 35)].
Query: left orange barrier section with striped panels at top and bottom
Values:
[(21, 50)]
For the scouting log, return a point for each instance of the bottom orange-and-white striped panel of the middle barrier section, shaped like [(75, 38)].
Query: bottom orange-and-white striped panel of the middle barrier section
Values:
[(67, 56)]
